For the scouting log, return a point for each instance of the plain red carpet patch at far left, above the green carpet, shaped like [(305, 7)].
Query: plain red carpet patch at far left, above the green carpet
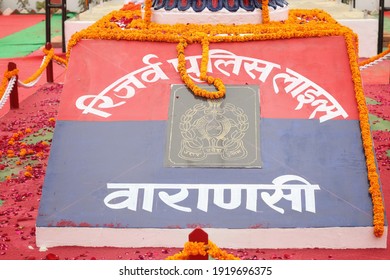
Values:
[(14, 23)]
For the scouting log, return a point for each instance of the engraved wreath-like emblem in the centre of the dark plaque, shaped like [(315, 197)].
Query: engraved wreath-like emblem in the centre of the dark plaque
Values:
[(214, 128)]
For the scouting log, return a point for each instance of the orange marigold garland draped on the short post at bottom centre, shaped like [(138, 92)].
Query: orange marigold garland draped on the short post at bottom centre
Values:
[(200, 248)]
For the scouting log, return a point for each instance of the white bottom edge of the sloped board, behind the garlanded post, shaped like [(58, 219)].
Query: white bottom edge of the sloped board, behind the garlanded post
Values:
[(276, 238)]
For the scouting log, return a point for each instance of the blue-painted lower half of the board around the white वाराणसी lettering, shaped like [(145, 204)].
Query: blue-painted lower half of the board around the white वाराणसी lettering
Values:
[(85, 156)]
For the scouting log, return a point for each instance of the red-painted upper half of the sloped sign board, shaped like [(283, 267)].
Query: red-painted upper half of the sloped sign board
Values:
[(93, 70)]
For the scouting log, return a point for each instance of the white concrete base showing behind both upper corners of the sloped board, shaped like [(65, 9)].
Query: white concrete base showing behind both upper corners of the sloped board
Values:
[(365, 27)]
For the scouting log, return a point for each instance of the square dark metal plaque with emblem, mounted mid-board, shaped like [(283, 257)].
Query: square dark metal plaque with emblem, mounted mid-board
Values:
[(221, 132)]
